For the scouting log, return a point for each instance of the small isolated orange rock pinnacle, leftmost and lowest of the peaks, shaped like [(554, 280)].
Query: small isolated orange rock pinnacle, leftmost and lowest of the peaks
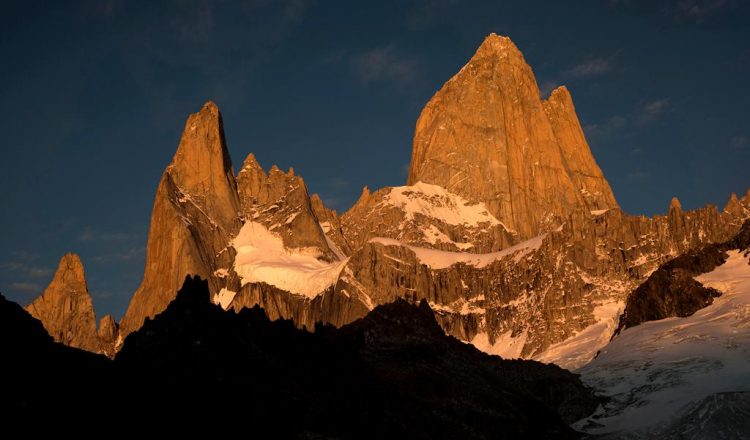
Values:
[(65, 308)]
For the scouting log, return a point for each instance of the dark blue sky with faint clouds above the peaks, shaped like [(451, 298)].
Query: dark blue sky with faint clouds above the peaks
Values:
[(95, 95)]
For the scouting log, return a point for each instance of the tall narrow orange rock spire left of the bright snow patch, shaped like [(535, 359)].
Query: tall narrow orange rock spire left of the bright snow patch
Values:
[(194, 217)]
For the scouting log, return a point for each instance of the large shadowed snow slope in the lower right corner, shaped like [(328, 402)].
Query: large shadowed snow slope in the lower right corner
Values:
[(661, 373)]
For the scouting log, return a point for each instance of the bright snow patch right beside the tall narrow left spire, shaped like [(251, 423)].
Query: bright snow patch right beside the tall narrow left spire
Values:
[(262, 257)]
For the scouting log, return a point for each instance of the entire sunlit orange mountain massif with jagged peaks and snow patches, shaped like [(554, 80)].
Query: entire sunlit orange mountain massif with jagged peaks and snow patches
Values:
[(507, 228)]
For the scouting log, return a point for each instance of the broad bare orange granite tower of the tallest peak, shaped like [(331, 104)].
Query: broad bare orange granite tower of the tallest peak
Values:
[(487, 136)]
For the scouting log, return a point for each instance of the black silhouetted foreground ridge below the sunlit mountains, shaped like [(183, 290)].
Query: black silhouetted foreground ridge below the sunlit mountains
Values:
[(392, 373)]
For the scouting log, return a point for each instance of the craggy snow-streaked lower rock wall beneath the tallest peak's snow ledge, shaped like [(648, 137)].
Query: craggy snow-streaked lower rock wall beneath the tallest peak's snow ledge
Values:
[(523, 300)]
